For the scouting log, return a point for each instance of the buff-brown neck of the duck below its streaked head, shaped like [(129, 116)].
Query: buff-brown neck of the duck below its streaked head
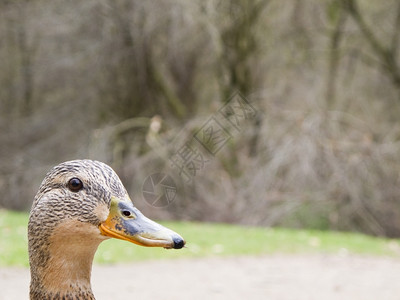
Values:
[(61, 267)]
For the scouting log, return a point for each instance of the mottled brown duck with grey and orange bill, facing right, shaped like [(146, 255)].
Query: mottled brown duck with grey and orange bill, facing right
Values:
[(79, 204)]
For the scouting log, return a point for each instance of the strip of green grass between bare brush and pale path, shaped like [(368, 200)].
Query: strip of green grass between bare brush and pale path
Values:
[(206, 240)]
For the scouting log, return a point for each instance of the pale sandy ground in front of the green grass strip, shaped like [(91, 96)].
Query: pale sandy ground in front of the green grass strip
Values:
[(285, 277)]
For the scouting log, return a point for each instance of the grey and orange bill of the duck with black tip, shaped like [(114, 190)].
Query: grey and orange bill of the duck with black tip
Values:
[(127, 223)]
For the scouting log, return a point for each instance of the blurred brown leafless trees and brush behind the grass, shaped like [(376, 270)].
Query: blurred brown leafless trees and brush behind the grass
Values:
[(85, 79)]
